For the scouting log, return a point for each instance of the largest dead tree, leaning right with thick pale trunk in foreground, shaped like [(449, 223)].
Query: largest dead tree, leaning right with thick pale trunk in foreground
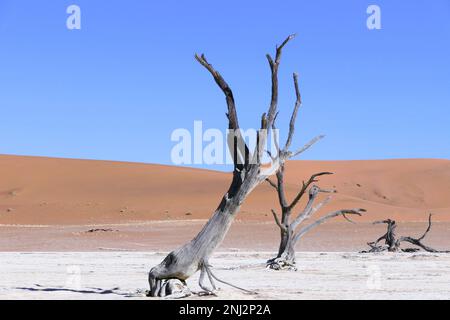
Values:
[(248, 172)]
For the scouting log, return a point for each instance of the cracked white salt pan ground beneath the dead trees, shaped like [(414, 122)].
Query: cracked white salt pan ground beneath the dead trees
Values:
[(332, 275)]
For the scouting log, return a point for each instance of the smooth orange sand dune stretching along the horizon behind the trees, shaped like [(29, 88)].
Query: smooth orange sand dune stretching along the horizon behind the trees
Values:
[(35, 190)]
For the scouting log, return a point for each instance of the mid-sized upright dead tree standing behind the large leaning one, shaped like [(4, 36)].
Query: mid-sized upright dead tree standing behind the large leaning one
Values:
[(290, 230)]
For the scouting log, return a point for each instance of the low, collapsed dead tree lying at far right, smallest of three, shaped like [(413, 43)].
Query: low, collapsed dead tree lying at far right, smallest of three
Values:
[(392, 242)]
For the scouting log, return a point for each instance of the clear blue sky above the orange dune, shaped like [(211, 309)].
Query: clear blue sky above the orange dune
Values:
[(118, 87)]
